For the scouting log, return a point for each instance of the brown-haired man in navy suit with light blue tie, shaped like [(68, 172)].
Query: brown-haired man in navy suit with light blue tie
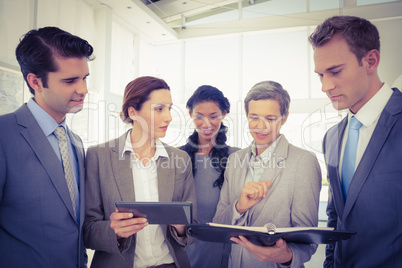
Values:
[(363, 152)]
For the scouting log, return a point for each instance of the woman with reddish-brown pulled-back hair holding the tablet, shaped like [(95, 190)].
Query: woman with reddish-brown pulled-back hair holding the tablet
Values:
[(137, 167)]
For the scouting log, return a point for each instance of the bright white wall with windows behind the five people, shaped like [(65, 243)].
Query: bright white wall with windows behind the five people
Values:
[(120, 59)]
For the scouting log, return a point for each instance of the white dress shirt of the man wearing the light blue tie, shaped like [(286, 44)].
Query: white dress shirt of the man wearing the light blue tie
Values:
[(368, 115)]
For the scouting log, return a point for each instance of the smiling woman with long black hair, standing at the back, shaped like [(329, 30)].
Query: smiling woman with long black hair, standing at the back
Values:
[(208, 152)]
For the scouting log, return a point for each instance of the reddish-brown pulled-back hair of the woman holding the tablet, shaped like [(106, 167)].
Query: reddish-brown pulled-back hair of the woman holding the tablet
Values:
[(137, 92)]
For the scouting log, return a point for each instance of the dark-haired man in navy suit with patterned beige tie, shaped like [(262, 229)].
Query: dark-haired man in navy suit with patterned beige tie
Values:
[(42, 186)]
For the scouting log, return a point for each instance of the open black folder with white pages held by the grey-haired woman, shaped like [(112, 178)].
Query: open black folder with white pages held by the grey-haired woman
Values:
[(267, 235)]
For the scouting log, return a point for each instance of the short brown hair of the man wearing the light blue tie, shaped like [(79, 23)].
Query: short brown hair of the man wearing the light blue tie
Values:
[(360, 34)]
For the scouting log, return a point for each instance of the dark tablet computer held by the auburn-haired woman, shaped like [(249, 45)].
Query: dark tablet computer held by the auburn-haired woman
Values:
[(159, 212)]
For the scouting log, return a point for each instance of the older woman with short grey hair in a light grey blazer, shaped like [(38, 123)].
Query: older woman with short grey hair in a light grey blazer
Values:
[(271, 181)]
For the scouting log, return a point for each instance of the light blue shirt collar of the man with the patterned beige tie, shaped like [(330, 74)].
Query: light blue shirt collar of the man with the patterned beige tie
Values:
[(45, 121)]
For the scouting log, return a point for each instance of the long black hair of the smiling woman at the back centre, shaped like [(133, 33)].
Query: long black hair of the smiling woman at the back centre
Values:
[(220, 152)]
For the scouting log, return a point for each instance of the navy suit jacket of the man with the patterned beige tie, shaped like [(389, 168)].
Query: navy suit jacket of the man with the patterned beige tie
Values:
[(37, 226)]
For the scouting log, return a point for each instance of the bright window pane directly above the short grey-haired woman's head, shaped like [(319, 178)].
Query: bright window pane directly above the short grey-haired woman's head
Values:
[(278, 56)]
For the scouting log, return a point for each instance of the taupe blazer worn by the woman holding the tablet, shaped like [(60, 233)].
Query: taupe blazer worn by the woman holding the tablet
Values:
[(109, 179)]
